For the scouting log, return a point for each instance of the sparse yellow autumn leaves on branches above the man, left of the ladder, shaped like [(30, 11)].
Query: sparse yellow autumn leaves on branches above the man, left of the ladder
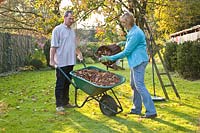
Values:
[(40, 17)]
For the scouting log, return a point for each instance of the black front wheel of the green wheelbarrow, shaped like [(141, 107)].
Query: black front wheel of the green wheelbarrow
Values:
[(108, 105)]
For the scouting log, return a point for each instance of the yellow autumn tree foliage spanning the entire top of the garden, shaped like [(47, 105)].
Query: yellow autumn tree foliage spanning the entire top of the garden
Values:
[(40, 17)]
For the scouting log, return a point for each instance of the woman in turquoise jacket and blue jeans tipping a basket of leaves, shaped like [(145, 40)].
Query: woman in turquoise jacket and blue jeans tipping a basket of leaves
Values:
[(135, 51)]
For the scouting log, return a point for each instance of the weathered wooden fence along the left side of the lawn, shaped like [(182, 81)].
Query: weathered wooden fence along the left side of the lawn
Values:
[(15, 51)]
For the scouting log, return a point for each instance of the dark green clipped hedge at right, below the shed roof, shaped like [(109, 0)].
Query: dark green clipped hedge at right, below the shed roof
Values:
[(184, 59)]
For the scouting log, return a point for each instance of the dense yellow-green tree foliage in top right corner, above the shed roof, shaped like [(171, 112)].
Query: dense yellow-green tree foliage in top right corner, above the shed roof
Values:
[(172, 16)]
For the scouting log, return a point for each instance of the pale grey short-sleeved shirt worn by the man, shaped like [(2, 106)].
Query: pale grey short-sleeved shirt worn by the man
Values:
[(63, 38)]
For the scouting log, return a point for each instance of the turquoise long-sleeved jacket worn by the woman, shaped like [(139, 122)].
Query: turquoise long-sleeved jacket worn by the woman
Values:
[(135, 48)]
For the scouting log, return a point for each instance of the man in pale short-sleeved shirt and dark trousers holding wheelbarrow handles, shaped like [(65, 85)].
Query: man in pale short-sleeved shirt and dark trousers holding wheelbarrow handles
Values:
[(63, 53)]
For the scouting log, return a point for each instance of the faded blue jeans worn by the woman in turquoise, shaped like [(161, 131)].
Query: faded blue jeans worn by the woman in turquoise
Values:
[(140, 93)]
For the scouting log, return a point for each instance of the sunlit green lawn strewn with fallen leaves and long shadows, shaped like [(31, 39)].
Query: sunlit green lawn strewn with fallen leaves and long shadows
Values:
[(27, 104)]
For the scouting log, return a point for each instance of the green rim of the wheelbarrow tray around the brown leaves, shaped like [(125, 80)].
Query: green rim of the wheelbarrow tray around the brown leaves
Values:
[(122, 79)]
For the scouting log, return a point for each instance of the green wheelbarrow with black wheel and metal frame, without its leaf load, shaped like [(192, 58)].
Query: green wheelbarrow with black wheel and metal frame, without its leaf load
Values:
[(108, 105)]
